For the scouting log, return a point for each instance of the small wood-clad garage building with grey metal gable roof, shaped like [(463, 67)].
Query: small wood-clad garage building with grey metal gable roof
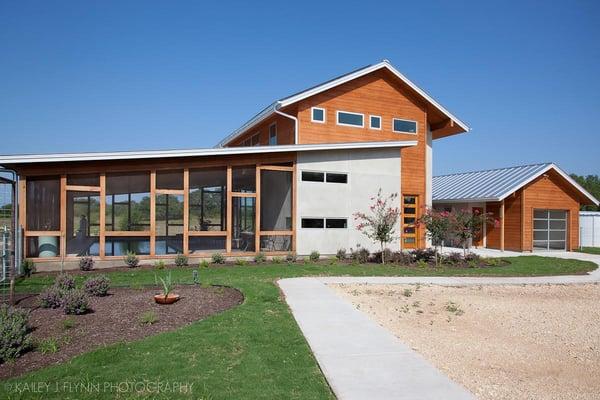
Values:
[(537, 206)]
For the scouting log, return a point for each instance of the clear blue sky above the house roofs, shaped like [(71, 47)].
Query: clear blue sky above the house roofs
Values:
[(123, 75)]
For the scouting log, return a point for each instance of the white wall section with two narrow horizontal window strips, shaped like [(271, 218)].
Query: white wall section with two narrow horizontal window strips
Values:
[(368, 170)]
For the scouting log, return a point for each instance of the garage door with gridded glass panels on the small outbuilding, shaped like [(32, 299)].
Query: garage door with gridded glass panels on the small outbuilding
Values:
[(549, 230)]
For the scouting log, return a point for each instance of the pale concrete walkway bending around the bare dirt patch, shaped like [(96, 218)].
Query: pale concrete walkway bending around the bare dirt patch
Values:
[(362, 360)]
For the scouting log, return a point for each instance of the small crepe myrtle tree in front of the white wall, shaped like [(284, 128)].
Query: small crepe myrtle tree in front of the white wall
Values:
[(380, 223)]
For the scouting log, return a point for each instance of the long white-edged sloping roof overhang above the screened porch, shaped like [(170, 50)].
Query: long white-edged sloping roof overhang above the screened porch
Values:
[(156, 154)]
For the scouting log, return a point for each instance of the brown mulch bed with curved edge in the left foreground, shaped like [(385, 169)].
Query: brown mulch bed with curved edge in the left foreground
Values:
[(115, 318)]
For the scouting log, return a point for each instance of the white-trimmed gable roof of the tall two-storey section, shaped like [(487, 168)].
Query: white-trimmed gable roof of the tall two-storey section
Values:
[(289, 100)]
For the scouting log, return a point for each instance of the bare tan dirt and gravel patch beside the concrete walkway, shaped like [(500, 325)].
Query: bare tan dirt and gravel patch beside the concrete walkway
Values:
[(500, 342)]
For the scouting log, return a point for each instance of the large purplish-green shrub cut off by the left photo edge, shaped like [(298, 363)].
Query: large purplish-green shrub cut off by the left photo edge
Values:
[(15, 332)]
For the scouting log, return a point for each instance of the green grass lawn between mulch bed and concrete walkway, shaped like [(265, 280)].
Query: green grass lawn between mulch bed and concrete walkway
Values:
[(250, 352)]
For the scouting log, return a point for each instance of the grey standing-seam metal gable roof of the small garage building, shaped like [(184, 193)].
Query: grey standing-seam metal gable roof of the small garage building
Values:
[(494, 184)]
